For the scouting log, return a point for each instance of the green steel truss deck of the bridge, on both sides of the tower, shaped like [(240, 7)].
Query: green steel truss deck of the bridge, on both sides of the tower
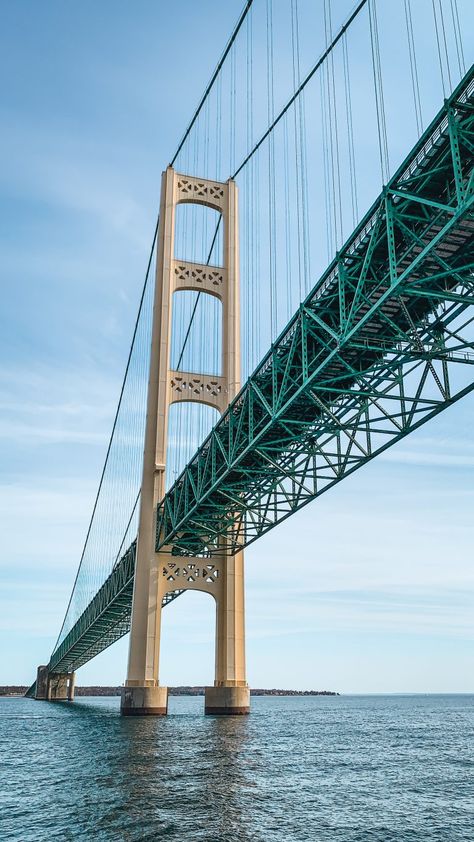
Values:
[(384, 342)]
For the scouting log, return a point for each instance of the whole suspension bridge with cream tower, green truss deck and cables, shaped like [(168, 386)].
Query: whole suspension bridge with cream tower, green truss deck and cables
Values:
[(262, 197)]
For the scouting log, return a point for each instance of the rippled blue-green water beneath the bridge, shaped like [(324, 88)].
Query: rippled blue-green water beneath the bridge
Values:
[(345, 769)]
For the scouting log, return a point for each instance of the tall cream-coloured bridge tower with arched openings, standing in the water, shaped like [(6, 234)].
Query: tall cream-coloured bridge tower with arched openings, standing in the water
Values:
[(156, 574)]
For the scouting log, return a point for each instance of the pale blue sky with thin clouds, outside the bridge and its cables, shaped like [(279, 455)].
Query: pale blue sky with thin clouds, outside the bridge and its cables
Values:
[(370, 588)]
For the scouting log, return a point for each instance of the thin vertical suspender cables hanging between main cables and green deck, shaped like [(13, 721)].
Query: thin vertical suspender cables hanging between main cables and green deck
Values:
[(296, 111)]
